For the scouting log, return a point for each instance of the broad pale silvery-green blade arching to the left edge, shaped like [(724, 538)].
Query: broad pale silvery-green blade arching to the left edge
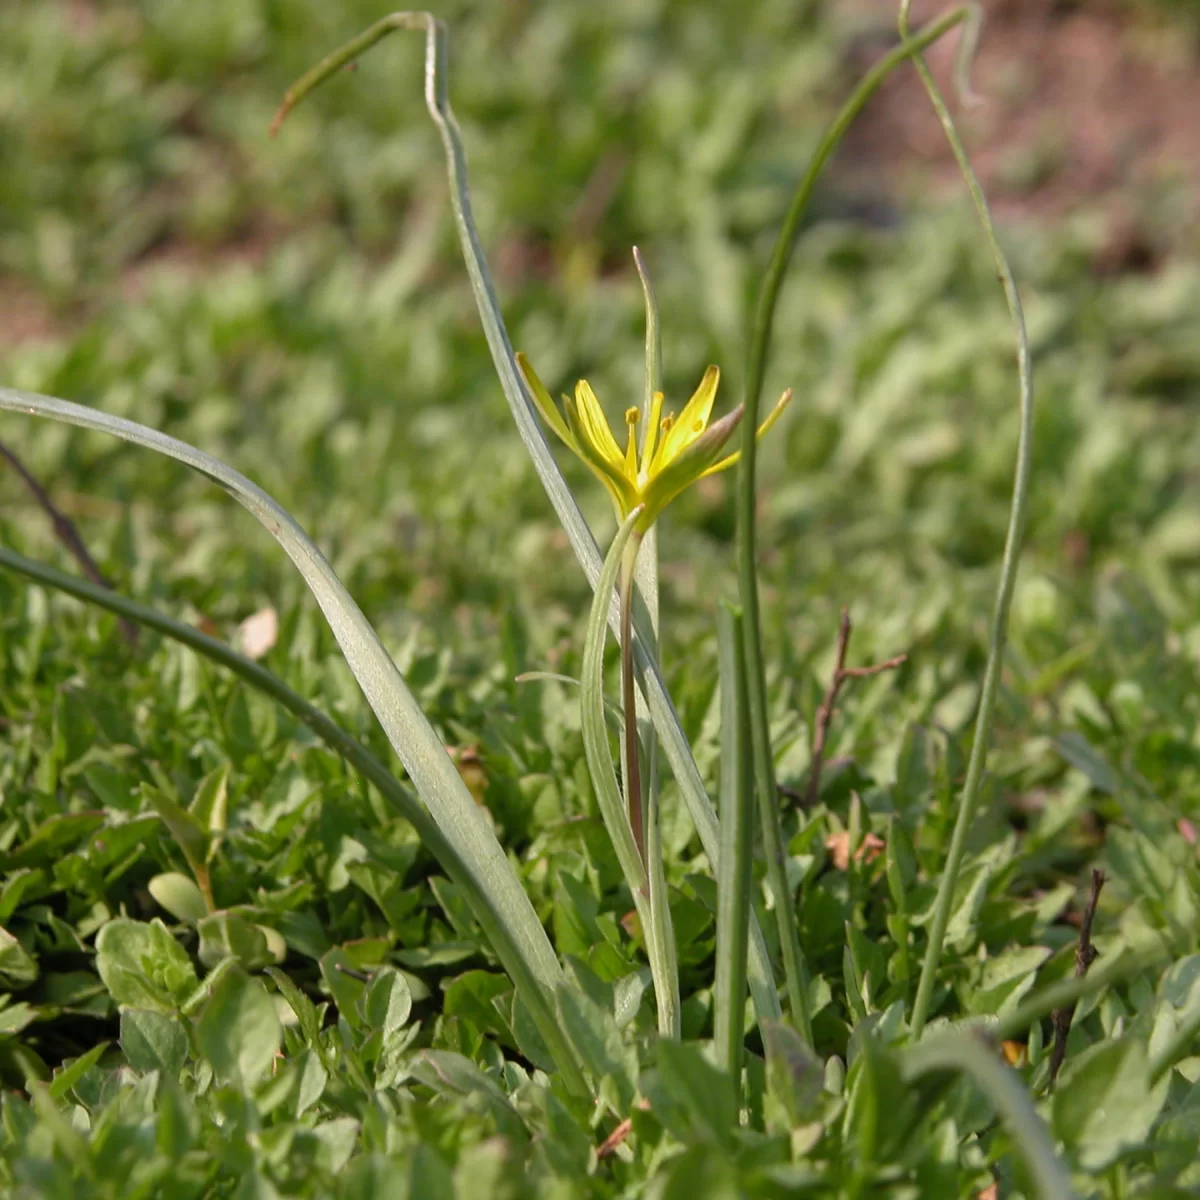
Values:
[(409, 730)]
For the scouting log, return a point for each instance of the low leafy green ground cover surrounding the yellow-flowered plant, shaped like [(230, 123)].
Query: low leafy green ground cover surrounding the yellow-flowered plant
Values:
[(299, 309)]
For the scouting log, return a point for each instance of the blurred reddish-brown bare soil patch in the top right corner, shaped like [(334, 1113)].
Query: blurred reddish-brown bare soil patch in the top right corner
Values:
[(1083, 106)]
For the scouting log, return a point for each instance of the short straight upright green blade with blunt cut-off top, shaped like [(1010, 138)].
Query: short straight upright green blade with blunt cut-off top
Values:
[(736, 879)]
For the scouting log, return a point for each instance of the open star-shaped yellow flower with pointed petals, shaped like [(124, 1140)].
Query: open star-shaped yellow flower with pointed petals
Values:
[(676, 452)]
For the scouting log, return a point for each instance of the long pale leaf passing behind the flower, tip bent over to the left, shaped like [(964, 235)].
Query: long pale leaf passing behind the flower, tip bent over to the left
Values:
[(584, 544)]
